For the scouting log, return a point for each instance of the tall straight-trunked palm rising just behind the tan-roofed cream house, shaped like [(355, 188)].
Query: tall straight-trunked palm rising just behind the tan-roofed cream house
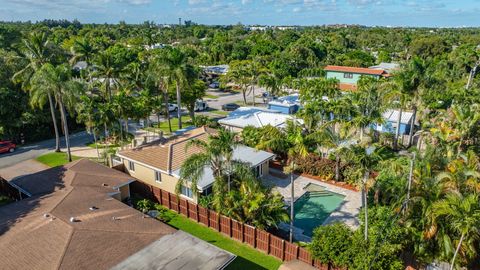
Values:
[(179, 72)]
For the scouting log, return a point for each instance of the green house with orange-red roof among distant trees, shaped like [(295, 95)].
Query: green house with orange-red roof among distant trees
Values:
[(349, 76)]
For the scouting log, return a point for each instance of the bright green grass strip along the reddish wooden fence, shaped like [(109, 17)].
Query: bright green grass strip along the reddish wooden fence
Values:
[(247, 257)]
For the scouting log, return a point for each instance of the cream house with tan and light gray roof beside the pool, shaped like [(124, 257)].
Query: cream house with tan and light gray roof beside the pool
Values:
[(158, 163)]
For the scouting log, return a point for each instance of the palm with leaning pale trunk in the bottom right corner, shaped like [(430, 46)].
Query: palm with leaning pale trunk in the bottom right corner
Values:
[(462, 215)]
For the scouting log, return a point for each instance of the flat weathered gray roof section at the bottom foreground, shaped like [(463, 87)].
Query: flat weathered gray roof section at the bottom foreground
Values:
[(177, 251)]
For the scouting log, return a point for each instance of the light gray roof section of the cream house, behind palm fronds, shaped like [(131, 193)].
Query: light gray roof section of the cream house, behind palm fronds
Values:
[(240, 153)]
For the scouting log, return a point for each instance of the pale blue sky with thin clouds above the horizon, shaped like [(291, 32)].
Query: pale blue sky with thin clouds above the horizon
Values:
[(431, 13)]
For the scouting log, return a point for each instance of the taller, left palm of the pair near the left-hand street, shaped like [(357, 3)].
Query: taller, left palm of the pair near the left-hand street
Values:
[(36, 50)]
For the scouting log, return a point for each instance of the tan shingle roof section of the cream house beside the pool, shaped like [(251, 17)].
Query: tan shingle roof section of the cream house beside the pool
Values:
[(170, 155)]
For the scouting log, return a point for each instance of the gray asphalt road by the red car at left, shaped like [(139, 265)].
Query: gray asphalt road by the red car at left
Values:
[(32, 151)]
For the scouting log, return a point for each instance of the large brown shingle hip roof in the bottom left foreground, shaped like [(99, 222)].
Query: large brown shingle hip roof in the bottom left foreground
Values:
[(31, 240)]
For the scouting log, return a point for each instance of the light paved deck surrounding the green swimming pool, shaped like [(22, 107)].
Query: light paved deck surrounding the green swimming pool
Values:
[(346, 213)]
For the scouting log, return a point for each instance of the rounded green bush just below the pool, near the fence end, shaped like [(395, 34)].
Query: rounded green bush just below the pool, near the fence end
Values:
[(331, 244)]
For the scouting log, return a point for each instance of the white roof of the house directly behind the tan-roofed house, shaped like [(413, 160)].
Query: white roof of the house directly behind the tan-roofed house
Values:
[(245, 116)]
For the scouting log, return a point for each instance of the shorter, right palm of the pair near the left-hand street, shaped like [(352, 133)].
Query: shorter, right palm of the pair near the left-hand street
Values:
[(59, 81)]
